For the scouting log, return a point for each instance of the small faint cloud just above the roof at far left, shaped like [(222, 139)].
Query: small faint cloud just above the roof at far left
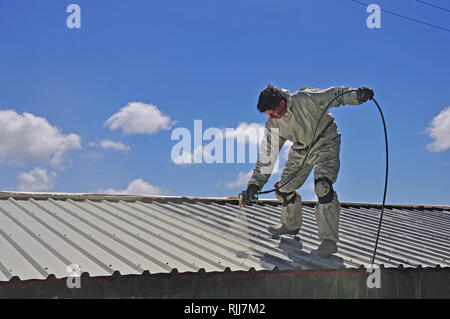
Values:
[(36, 180)]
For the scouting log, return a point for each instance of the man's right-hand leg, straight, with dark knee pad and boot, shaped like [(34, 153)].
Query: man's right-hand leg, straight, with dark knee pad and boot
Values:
[(328, 207)]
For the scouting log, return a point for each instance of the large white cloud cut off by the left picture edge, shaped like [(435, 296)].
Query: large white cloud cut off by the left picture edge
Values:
[(27, 138)]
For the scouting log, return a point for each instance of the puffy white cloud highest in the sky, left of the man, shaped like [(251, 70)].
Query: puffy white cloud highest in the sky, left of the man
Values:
[(139, 118)]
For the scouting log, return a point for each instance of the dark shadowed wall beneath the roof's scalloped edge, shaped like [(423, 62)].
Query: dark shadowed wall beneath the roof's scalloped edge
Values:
[(329, 284)]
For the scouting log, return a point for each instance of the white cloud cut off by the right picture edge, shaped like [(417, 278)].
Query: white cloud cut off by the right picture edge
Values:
[(439, 130)]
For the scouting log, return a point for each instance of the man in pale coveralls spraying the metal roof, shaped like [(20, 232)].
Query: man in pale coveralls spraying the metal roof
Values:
[(294, 117)]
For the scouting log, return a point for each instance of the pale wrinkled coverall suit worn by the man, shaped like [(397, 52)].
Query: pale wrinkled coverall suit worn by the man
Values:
[(297, 125)]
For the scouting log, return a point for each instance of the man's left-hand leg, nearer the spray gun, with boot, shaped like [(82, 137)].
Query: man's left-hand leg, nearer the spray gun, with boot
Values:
[(291, 211)]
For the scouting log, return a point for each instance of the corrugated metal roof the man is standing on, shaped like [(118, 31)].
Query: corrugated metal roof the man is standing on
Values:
[(41, 234)]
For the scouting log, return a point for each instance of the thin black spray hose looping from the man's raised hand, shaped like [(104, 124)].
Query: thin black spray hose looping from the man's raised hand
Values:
[(309, 149)]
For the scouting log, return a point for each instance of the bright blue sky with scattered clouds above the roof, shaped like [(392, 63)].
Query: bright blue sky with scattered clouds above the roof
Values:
[(208, 60)]
